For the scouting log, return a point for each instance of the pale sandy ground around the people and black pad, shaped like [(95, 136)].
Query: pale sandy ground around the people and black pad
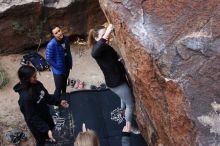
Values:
[(84, 68)]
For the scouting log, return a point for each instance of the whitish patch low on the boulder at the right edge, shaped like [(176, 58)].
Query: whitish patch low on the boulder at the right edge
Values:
[(212, 119)]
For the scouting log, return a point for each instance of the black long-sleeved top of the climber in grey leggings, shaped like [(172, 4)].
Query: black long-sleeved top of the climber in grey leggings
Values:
[(108, 61)]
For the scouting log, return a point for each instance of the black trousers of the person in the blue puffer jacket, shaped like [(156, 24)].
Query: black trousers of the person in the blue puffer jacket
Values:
[(60, 84)]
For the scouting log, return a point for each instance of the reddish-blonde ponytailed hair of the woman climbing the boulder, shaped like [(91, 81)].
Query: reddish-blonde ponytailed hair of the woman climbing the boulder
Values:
[(93, 33)]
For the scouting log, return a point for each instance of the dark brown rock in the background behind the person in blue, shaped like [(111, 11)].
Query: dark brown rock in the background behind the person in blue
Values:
[(23, 23)]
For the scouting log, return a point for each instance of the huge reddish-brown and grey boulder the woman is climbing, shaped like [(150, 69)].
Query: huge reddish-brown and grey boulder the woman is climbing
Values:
[(171, 50)]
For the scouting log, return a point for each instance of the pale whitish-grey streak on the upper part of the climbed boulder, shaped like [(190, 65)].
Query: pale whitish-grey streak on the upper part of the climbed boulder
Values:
[(142, 27)]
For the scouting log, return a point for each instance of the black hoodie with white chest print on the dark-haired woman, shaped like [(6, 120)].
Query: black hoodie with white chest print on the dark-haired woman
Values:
[(33, 102)]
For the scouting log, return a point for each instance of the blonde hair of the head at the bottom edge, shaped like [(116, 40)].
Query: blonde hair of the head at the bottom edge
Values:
[(88, 138)]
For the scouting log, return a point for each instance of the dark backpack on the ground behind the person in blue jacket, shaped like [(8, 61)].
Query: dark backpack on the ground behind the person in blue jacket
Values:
[(38, 61)]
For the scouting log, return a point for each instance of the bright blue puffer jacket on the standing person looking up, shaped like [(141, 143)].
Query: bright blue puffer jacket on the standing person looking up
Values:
[(55, 56)]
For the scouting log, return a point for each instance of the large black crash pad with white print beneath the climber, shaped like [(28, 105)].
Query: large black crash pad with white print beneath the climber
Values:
[(92, 107)]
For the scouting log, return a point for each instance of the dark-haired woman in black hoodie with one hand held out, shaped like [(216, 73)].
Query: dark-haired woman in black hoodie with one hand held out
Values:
[(33, 102)]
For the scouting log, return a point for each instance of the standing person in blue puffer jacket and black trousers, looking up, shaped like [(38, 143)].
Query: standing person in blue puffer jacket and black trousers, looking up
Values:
[(58, 55)]
